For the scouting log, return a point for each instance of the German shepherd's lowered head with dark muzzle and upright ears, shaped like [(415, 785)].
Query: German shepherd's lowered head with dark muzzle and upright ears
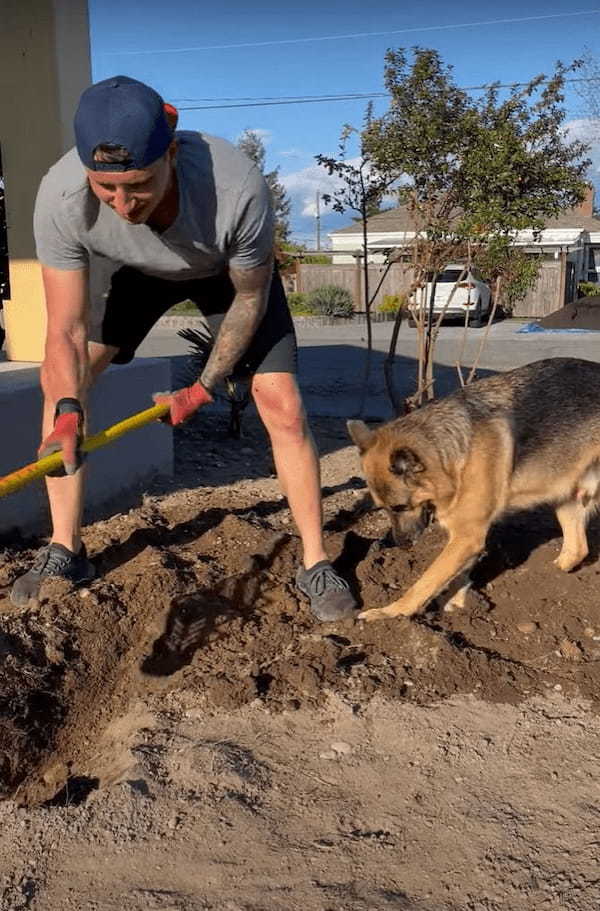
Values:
[(397, 479)]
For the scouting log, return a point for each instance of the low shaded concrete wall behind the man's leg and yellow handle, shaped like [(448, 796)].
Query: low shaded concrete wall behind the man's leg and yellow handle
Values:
[(116, 472)]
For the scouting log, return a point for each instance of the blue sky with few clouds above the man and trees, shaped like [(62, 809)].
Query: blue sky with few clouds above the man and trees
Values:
[(200, 54)]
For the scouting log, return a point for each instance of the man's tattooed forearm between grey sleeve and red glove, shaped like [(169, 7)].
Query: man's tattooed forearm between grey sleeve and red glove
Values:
[(240, 323)]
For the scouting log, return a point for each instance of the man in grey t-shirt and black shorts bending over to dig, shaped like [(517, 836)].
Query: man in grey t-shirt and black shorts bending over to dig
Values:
[(133, 220)]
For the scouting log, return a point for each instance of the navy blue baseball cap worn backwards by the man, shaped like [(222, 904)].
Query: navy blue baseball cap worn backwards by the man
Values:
[(124, 112)]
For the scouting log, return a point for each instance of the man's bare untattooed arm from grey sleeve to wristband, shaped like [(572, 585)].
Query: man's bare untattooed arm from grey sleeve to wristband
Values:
[(65, 371)]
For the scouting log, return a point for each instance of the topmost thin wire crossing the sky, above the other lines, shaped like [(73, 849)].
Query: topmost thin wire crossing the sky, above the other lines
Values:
[(400, 31)]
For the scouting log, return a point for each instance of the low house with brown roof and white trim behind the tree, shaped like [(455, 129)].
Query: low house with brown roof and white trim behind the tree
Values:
[(569, 246)]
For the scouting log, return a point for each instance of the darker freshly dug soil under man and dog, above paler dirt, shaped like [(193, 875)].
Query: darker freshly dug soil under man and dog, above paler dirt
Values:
[(196, 592)]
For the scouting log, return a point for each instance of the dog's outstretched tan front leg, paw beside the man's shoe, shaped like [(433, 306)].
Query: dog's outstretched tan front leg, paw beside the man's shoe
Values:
[(457, 557)]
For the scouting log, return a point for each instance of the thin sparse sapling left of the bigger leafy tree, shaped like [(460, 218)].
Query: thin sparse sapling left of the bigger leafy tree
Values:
[(361, 189)]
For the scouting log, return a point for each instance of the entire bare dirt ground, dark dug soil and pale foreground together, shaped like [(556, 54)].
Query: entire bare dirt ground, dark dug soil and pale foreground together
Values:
[(183, 734)]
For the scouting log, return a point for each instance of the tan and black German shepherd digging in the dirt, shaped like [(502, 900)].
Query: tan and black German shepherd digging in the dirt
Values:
[(508, 442)]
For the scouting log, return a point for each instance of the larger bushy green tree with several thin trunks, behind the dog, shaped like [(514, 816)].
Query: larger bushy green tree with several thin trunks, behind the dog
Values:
[(472, 173)]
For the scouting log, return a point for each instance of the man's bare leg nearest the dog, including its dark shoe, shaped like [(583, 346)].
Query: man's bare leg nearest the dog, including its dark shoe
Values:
[(279, 404)]
